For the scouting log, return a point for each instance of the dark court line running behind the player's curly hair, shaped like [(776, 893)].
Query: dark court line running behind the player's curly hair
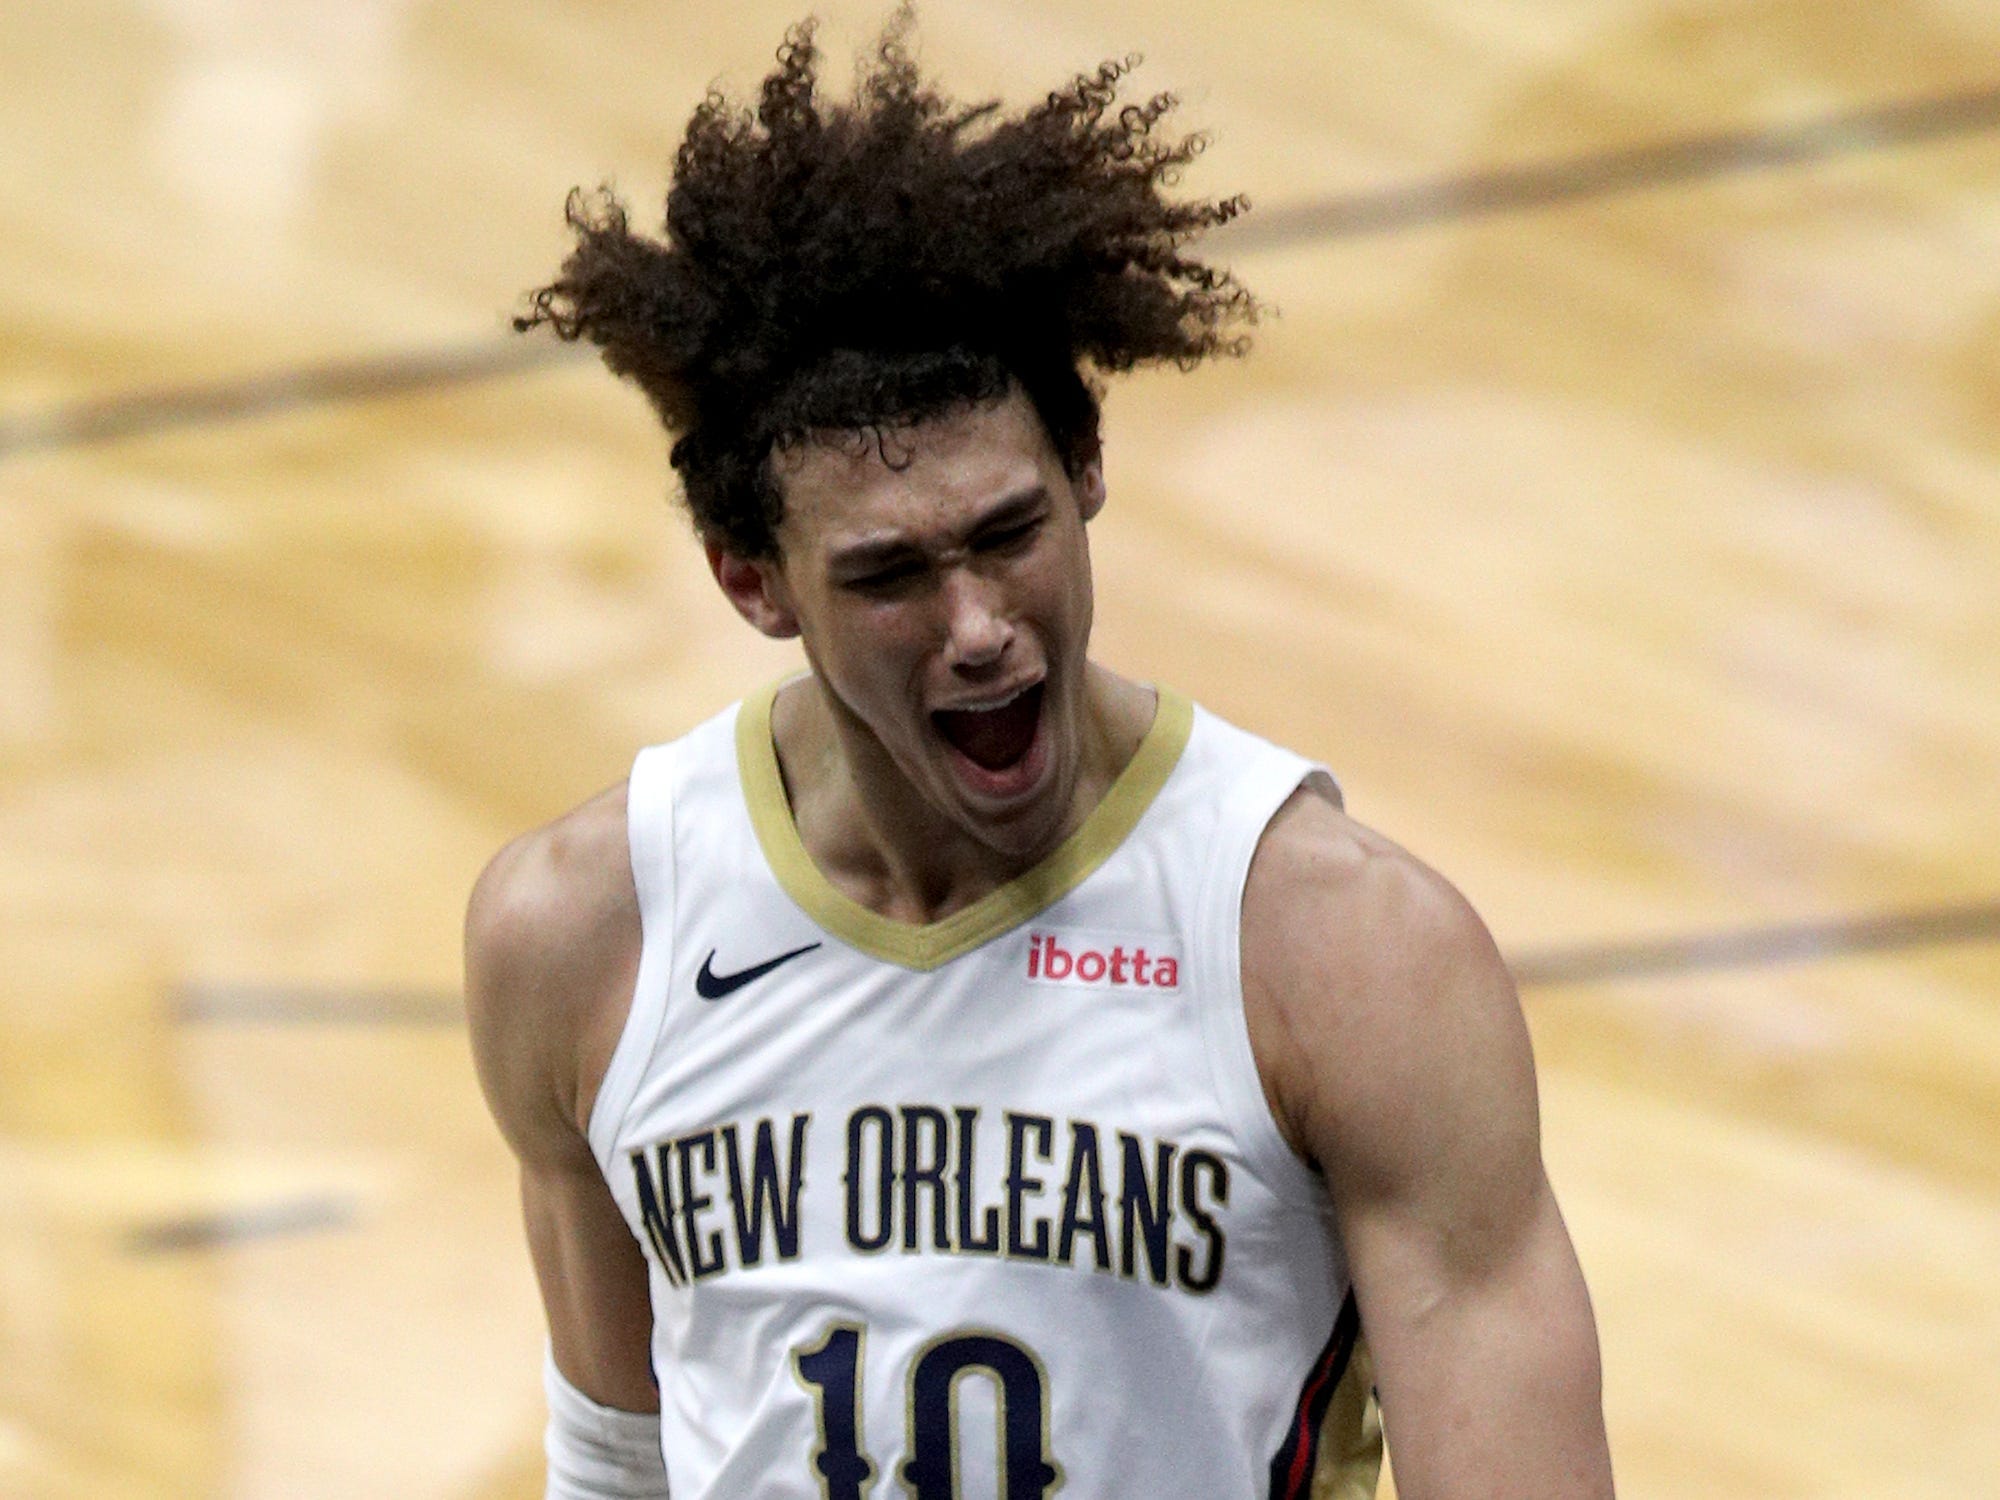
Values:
[(1461, 197)]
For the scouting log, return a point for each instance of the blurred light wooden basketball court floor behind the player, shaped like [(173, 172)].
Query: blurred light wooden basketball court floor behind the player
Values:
[(1615, 505)]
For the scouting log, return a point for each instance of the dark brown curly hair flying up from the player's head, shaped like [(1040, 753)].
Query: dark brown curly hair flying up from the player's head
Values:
[(837, 269)]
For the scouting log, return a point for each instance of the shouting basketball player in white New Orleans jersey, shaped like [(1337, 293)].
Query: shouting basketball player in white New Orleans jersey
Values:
[(961, 1071)]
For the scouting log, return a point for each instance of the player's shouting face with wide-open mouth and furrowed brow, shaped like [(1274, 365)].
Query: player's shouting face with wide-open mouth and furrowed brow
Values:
[(945, 605)]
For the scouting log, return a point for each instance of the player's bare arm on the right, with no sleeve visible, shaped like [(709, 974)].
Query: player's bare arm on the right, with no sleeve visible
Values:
[(1397, 1059)]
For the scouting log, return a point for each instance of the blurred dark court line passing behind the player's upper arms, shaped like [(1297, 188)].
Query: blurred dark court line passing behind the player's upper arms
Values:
[(1591, 963)]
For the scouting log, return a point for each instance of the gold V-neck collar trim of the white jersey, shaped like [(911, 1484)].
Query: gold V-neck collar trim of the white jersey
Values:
[(931, 945)]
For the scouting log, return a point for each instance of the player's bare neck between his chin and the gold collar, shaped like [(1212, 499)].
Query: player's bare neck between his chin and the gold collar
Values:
[(883, 845)]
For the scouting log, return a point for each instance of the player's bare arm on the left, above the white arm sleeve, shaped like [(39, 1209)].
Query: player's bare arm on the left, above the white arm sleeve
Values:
[(551, 957)]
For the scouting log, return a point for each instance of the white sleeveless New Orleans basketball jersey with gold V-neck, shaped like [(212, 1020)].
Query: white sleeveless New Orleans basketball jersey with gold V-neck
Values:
[(991, 1207)]
